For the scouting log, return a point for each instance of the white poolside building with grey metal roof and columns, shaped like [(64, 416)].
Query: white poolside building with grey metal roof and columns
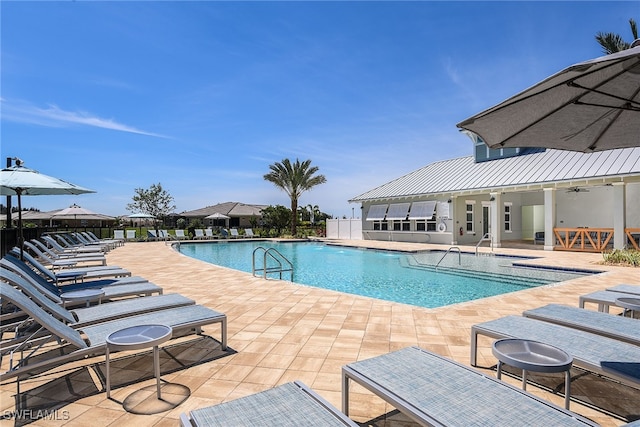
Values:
[(518, 194)]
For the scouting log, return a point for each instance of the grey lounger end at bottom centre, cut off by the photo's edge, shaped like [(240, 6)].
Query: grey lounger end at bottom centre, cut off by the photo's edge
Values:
[(290, 404)]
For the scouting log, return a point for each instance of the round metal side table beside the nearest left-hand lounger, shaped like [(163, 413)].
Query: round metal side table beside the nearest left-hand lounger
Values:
[(137, 338)]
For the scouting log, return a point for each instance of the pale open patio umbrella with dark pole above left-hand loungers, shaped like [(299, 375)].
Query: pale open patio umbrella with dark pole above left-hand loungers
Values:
[(20, 181)]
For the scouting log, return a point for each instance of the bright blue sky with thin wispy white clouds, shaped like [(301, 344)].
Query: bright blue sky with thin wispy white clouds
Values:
[(203, 96)]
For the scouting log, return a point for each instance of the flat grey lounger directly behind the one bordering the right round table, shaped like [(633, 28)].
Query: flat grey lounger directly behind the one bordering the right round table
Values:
[(616, 327)]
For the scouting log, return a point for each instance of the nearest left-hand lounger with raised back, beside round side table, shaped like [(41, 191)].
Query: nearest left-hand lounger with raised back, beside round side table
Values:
[(72, 346)]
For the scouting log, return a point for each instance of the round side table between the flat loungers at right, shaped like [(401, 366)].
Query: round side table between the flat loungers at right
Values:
[(534, 356)]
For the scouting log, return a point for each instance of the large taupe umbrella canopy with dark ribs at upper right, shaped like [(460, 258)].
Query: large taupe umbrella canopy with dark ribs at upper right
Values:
[(590, 106)]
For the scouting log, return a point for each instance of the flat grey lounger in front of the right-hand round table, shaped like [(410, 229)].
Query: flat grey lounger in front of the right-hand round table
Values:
[(436, 391)]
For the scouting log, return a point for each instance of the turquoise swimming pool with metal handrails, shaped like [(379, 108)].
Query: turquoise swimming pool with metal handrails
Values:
[(409, 278)]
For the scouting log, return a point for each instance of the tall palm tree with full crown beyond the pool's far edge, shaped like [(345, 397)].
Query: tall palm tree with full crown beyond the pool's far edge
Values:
[(294, 179)]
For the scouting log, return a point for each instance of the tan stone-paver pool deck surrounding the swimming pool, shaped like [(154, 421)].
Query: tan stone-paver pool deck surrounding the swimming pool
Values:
[(279, 332)]
